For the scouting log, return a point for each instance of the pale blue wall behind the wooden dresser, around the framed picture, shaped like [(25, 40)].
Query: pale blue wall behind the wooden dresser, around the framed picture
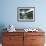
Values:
[(9, 13)]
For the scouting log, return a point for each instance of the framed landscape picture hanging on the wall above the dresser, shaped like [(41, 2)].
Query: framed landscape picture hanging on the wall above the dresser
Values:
[(26, 14)]
